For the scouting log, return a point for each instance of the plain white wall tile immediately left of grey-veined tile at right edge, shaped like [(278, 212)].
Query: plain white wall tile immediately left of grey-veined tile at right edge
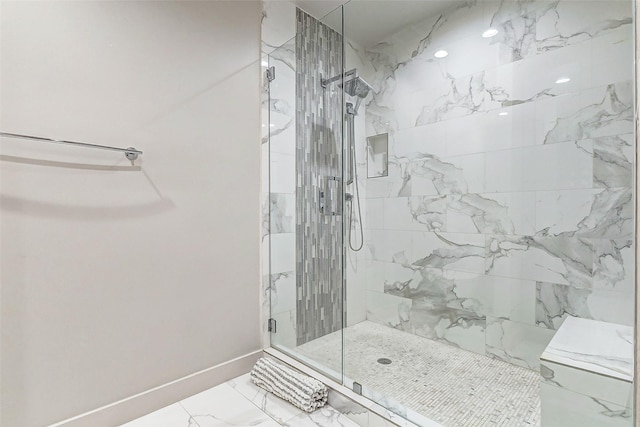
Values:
[(545, 167)]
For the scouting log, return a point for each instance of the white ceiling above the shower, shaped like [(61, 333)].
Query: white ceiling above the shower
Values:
[(369, 21)]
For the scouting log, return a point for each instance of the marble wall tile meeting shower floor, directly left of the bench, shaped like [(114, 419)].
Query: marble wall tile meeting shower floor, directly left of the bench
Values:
[(516, 343)]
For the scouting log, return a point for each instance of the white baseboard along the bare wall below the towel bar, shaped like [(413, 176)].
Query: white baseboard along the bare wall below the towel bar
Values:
[(135, 406)]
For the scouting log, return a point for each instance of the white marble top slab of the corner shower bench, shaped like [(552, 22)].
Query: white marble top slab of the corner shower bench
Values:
[(594, 346)]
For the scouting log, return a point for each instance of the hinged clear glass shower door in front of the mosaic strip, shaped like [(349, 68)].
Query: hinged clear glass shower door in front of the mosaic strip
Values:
[(305, 200)]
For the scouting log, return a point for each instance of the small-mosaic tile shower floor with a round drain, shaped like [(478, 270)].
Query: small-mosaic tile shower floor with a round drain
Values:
[(454, 387)]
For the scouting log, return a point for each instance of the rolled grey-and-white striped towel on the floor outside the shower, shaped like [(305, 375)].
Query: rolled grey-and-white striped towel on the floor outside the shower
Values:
[(300, 390)]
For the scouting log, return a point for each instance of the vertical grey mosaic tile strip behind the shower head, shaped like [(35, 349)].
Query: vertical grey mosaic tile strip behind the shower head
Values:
[(319, 300)]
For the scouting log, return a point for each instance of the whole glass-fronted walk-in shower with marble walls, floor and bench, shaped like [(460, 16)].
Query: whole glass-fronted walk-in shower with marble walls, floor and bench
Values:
[(487, 275)]
